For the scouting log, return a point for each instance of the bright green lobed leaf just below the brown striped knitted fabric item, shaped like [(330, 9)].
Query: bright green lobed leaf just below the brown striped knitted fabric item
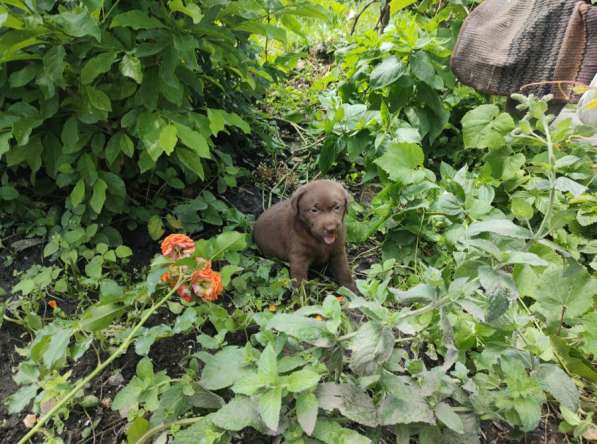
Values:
[(486, 127)]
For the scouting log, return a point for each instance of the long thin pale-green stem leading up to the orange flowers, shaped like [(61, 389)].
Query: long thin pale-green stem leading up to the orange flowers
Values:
[(100, 367)]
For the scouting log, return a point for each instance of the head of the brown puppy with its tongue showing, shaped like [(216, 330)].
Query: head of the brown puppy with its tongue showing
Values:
[(321, 206)]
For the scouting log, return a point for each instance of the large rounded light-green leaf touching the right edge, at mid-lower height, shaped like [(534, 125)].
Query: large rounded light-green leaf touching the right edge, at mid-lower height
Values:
[(565, 293)]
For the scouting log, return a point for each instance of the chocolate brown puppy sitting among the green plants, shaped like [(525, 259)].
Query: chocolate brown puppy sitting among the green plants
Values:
[(308, 229)]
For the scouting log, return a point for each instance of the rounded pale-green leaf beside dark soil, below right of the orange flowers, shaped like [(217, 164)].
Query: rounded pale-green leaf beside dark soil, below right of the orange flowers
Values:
[(224, 368)]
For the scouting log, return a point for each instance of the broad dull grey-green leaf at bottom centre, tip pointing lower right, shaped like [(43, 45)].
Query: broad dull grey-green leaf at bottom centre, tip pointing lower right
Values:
[(350, 400)]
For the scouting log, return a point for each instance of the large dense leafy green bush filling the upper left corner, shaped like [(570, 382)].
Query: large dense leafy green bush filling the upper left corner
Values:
[(108, 102)]
